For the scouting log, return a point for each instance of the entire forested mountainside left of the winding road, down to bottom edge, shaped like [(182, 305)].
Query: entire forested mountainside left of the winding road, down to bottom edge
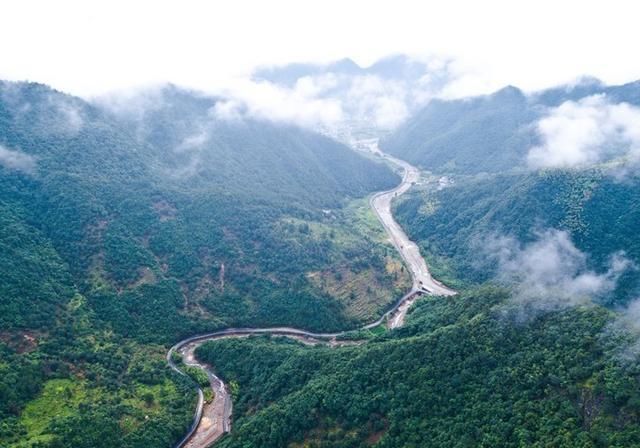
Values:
[(123, 229)]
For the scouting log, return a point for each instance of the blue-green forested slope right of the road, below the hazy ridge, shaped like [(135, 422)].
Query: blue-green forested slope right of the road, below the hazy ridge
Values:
[(454, 224)]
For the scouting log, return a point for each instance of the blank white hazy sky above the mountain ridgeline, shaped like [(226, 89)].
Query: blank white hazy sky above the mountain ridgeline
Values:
[(88, 47)]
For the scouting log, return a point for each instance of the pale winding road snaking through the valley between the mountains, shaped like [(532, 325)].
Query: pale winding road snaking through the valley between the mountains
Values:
[(213, 419)]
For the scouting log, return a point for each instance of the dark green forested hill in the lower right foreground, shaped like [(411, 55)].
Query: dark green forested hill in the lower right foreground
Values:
[(459, 374)]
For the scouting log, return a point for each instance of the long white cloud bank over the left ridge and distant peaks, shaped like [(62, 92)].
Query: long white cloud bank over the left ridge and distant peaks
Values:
[(341, 99)]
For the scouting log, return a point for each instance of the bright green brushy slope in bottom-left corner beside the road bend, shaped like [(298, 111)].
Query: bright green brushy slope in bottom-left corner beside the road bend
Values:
[(90, 389)]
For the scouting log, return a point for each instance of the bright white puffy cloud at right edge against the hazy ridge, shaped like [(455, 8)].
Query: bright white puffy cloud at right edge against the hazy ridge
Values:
[(578, 134)]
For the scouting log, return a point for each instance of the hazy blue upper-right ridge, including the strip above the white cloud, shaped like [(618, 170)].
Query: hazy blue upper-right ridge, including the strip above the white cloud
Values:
[(490, 133)]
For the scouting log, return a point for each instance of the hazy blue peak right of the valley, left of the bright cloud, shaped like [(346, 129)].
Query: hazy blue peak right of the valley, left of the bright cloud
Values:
[(479, 134)]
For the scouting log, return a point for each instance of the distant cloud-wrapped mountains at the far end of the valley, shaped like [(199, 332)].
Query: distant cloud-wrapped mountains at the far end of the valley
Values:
[(370, 100)]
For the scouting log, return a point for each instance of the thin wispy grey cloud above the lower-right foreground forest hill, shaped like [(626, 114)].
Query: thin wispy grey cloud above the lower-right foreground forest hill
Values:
[(551, 273)]
